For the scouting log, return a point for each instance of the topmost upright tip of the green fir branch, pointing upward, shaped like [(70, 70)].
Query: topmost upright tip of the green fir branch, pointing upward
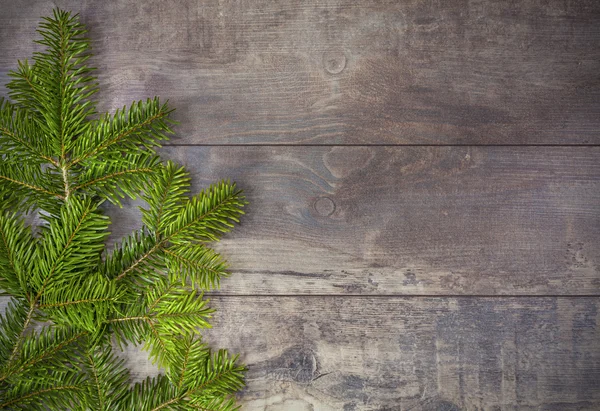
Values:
[(57, 86)]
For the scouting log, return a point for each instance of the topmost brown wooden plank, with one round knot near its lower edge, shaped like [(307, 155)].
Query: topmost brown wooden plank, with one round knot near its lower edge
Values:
[(341, 71)]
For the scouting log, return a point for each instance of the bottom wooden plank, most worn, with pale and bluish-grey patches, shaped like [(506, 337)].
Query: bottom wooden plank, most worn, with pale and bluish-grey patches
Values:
[(341, 353)]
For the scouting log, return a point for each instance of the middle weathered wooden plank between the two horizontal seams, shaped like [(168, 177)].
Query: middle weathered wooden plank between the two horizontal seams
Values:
[(406, 220)]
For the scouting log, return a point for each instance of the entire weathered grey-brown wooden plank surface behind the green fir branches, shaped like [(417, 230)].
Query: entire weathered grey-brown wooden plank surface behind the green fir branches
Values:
[(381, 278)]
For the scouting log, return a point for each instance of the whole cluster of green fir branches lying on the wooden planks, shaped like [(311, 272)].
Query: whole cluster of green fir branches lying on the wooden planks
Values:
[(70, 296)]
